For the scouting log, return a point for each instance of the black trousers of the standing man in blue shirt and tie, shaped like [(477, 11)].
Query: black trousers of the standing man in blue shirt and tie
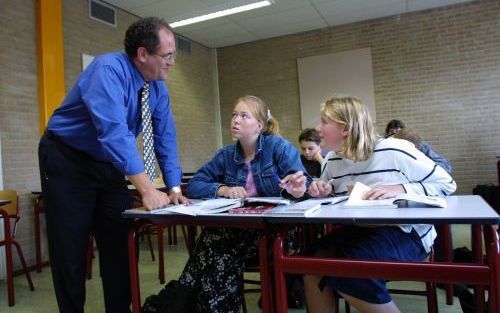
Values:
[(83, 196)]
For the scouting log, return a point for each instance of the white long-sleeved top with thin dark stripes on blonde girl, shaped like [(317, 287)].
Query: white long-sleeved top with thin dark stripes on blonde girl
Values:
[(394, 161)]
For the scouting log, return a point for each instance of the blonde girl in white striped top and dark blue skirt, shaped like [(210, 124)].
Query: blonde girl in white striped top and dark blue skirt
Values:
[(390, 166)]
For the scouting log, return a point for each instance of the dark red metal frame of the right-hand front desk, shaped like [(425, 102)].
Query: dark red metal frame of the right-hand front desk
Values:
[(477, 273)]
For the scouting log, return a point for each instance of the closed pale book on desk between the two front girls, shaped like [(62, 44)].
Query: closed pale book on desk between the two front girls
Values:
[(304, 208)]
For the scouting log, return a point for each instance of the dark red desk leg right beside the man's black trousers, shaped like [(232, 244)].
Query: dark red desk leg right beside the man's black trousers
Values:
[(135, 289)]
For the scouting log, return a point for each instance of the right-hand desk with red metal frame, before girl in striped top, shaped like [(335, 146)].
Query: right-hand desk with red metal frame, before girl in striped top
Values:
[(461, 210)]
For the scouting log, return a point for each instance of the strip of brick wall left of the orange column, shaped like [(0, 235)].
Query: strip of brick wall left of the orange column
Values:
[(19, 112)]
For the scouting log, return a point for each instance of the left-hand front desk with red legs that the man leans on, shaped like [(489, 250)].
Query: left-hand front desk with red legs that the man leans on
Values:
[(216, 220)]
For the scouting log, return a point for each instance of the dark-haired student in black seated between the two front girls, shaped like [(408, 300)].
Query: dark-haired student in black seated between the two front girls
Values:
[(311, 151)]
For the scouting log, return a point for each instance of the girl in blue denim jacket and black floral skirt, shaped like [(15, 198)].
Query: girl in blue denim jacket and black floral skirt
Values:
[(260, 163)]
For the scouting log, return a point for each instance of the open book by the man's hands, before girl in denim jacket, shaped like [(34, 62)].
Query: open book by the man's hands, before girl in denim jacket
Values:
[(217, 205)]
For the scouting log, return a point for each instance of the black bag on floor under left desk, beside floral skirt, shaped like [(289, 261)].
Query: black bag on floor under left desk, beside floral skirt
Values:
[(174, 298)]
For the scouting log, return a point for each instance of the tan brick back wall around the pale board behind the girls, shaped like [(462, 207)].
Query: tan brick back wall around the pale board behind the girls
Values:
[(438, 70)]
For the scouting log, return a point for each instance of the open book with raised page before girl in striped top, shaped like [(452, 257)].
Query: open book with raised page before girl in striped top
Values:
[(356, 200)]
